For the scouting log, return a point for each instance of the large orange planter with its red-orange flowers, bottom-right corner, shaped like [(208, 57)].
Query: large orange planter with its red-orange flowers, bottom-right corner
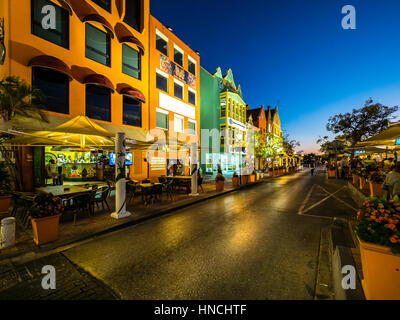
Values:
[(379, 237)]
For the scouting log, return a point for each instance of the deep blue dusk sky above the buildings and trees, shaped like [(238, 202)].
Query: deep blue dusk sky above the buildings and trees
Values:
[(296, 52)]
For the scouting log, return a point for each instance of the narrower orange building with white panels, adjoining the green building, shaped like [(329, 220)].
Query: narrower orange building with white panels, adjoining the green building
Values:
[(174, 100)]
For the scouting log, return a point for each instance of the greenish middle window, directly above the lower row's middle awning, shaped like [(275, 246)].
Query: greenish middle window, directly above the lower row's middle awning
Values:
[(97, 45)]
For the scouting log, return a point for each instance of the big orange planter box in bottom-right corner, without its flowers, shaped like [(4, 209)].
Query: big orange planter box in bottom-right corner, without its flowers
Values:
[(381, 272)]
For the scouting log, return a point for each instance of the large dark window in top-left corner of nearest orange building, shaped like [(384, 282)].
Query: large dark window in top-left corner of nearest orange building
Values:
[(59, 35)]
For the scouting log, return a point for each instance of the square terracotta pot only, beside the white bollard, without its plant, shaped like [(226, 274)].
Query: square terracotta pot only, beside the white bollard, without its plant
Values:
[(45, 230)]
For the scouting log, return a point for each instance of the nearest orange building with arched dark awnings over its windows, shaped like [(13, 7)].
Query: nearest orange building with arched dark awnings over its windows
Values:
[(89, 58)]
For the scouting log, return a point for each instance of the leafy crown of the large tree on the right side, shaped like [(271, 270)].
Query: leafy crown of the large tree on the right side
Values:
[(361, 123)]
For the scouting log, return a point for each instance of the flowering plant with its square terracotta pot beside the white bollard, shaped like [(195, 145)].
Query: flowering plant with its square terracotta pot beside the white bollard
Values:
[(45, 215)]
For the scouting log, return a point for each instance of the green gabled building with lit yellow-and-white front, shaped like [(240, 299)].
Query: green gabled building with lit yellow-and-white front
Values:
[(223, 123)]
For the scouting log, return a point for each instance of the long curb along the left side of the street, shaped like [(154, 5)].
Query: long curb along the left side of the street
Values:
[(29, 256)]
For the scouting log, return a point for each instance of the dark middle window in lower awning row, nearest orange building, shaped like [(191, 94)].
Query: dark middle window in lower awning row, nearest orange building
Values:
[(98, 102)]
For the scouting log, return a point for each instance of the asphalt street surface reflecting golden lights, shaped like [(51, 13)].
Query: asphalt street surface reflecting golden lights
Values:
[(257, 243)]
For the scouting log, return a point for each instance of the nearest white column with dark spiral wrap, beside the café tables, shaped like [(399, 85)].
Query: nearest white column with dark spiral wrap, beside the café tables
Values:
[(120, 178)]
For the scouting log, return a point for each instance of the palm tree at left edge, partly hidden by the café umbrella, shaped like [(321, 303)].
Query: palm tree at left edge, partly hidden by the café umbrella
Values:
[(17, 100)]
